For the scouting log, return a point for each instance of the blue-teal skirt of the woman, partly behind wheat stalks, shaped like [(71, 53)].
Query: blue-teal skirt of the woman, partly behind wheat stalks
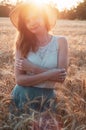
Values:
[(31, 97)]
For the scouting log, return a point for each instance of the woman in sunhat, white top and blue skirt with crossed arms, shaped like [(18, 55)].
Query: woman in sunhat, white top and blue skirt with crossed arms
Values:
[(40, 58)]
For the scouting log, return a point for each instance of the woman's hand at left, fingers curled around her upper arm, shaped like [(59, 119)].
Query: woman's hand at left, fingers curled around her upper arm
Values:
[(24, 64)]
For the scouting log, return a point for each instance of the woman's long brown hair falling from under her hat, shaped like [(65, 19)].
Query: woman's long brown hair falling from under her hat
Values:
[(26, 40)]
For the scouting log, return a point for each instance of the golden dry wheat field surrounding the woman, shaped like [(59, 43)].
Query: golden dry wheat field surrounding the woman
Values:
[(71, 96)]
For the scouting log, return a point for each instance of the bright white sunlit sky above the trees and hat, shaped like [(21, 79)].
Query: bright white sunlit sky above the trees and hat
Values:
[(60, 4)]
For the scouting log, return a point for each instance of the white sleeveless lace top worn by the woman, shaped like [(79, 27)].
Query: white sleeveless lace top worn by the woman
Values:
[(45, 57)]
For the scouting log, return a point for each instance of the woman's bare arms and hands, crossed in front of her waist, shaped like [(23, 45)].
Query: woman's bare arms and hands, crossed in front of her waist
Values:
[(42, 74)]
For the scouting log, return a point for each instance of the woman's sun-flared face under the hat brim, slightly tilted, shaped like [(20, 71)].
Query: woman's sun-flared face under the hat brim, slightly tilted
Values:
[(34, 21)]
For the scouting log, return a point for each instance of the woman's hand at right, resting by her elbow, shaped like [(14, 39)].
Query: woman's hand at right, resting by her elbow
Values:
[(59, 75)]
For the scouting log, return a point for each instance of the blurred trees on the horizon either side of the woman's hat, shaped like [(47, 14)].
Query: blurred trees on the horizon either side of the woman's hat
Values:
[(78, 12)]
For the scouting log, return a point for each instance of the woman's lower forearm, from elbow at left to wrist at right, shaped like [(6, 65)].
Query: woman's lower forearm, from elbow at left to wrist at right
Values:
[(27, 80)]
